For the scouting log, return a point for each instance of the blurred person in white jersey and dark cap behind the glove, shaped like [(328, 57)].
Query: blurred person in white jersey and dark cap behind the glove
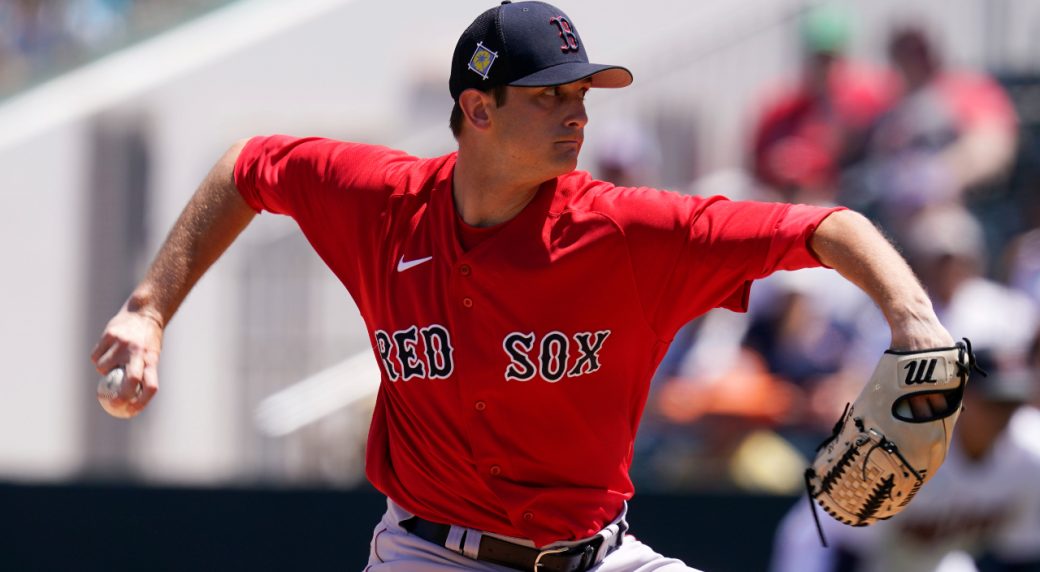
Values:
[(984, 504)]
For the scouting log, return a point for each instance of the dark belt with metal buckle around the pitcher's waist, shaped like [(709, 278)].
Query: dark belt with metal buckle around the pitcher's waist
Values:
[(571, 559)]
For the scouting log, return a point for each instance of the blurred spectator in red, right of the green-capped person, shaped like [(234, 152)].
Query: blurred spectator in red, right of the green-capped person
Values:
[(950, 132)]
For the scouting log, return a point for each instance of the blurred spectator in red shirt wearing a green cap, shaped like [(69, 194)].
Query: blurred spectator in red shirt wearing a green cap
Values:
[(807, 135)]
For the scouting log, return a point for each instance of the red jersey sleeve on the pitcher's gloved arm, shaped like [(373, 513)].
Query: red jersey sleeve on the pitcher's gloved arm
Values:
[(693, 254)]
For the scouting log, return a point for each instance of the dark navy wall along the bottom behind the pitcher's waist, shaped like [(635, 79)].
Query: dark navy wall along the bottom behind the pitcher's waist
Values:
[(117, 528)]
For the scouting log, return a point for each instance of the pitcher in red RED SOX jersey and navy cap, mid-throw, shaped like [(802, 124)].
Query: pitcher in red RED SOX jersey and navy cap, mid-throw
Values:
[(517, 307)]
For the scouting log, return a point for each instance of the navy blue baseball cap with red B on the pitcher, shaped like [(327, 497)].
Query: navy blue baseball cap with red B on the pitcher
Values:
[(526, 44)]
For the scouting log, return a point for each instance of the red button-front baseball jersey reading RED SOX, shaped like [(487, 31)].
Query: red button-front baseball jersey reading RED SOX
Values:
[(515, 373)]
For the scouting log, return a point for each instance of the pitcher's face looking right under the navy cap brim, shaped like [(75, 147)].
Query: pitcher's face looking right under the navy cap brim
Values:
[(541, 129)]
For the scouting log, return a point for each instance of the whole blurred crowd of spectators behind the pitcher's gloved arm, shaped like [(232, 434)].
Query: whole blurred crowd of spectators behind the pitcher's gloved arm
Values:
[(940, 157)]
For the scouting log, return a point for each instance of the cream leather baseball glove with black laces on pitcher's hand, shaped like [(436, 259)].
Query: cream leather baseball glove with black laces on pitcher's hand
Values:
[(880, 453)]
